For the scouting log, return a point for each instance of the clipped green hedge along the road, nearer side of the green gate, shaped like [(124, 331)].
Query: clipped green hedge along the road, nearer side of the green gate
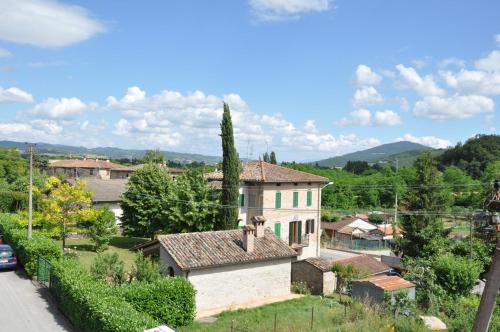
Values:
[(94, 306)]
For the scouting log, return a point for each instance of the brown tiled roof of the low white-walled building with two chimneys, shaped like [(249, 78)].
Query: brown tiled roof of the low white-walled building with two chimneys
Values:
[(208, 249)]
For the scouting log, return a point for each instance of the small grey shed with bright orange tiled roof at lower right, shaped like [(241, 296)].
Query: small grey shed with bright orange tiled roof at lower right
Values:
[(374, 288)]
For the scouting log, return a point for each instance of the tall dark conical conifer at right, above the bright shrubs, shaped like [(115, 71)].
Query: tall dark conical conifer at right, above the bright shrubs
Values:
[(425, 195)]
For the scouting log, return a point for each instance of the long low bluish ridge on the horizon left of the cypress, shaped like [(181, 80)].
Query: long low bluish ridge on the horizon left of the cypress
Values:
[(109, 152)]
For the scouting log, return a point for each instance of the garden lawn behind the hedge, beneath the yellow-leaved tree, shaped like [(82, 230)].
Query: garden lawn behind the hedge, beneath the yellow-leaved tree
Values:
[(118, 244)]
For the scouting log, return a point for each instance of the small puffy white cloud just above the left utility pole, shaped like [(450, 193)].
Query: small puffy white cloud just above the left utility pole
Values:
[(64, 108)]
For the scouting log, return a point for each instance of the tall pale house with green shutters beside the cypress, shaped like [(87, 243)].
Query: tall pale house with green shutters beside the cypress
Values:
[(290, 200)]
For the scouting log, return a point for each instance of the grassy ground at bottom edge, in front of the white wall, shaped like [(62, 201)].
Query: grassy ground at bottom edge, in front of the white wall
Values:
[(296, 315)]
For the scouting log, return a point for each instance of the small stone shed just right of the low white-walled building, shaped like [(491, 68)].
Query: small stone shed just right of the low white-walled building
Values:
[(317, 273)]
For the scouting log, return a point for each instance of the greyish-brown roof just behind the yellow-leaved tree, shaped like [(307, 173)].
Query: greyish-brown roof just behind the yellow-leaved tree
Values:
[(105, 190)]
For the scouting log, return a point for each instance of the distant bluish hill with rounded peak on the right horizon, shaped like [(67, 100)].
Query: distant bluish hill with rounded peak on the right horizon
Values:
[(405, 152)]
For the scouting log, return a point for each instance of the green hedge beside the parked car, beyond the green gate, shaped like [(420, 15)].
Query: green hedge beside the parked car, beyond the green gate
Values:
[(28, 251)]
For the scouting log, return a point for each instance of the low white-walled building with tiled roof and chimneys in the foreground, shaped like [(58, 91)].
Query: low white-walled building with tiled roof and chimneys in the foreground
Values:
[(228, 268)]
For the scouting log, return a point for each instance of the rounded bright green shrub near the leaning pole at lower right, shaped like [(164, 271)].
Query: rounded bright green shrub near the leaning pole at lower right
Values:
[(455, 274)]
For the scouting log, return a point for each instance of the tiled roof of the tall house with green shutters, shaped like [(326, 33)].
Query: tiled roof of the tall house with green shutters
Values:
[(260, 171)]
